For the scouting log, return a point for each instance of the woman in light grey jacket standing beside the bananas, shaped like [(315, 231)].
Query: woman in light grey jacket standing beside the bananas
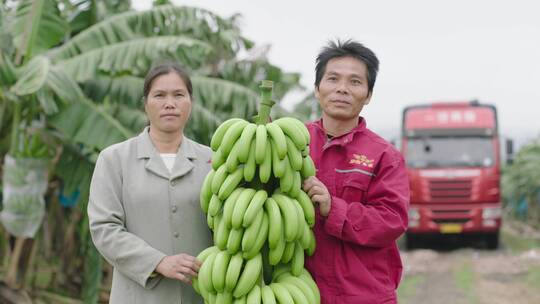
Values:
[(144, 209)]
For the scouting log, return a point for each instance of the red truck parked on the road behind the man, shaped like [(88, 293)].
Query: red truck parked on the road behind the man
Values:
[(453, 160)]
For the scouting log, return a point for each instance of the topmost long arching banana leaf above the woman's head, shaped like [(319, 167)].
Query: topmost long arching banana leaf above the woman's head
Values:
[(164, 20)]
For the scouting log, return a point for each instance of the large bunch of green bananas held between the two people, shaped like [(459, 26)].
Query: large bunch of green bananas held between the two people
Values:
[(260, 216)]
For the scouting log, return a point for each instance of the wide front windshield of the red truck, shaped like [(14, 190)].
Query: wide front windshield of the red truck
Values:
[(431, 152)]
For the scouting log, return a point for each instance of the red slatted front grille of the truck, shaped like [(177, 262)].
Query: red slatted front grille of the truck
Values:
[(451, 191)]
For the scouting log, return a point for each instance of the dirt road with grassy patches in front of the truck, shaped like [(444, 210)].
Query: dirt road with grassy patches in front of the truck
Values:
[(469, 275)]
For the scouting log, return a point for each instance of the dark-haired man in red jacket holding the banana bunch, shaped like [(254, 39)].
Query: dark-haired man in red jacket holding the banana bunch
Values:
[(361, 189)]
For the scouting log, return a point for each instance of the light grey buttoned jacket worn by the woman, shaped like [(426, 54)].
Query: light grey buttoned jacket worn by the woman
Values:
[(139, 213)]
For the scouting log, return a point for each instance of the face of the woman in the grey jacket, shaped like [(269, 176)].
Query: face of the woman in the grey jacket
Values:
[(168, 104)]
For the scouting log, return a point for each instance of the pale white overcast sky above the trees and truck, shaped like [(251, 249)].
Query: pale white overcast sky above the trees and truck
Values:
[(458, 50)]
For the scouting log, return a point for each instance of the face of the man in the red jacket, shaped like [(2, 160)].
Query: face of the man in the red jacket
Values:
[(343, 90)]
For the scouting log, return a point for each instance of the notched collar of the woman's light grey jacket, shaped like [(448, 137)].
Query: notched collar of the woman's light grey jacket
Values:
[(184, 156)]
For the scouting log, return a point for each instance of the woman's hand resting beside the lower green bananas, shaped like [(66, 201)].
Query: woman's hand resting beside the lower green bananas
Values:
[(181, 267)]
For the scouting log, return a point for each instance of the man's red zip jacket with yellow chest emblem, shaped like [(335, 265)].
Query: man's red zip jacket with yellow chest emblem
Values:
[(357, 260)]
